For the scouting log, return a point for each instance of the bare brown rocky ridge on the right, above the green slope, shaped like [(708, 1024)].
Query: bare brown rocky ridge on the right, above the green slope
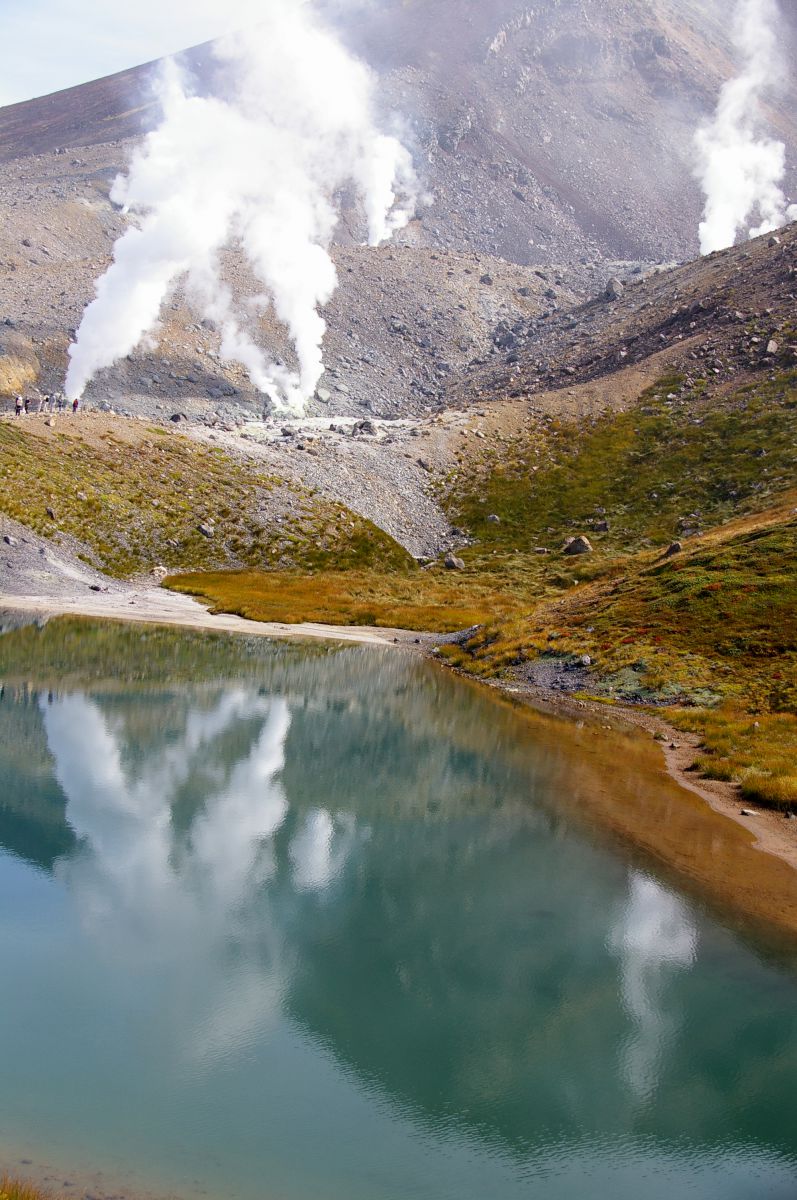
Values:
[(717, 319)]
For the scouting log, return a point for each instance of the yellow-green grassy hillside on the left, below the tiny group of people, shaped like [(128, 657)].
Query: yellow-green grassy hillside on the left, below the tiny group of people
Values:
[(139, 499)]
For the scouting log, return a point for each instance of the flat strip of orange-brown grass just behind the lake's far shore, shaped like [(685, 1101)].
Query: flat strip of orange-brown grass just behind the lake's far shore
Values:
[(422, 601)]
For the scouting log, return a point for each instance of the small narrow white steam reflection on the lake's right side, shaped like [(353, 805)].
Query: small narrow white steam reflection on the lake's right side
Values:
[(654, 939)]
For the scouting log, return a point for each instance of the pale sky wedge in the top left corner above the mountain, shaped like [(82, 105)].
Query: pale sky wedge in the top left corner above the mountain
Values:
[(49, 45)]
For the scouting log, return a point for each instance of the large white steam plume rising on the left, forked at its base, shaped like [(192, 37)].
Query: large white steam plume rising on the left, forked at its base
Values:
[(260, 169)]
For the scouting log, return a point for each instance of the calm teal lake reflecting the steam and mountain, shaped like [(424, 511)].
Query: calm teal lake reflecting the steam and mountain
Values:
[(325, 925)]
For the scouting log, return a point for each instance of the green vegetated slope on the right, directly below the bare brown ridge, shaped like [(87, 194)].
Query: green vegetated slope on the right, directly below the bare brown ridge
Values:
[(664, 467)]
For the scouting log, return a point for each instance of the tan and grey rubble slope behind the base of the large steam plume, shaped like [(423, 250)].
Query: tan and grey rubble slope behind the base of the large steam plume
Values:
[(402, 320)]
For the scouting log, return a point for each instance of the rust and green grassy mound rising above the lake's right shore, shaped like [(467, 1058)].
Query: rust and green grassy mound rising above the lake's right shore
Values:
[(721, 619)]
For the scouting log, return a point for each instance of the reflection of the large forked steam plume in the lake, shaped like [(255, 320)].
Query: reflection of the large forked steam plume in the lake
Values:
[(184, 903)]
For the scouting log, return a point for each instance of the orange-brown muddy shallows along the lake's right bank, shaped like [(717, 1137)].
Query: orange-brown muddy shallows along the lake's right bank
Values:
[(615, 777)]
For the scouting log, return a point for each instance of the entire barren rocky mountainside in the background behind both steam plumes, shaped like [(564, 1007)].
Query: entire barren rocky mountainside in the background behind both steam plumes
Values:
[(555, 139)]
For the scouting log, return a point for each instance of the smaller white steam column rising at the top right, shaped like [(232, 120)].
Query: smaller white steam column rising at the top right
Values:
[(740, 167)]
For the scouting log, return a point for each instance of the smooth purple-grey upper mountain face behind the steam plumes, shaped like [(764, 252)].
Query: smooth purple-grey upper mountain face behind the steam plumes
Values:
[(546, 133)]
